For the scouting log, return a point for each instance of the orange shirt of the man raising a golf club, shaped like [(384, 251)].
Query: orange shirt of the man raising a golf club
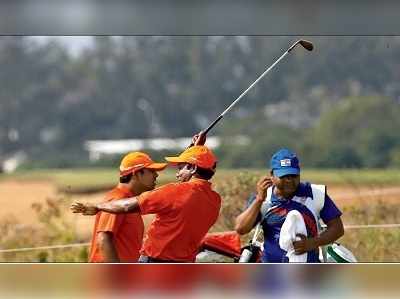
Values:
[(184, 214)]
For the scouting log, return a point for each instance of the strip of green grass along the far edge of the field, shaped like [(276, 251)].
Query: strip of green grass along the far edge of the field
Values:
[(100, 178)]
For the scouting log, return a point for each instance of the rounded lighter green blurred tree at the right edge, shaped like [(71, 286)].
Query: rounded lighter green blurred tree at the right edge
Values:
[(359, 131)]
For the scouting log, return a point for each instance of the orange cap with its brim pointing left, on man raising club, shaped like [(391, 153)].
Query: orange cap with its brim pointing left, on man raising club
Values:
[(199, 155)]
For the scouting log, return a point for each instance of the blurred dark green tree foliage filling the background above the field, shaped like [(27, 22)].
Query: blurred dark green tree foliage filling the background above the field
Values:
[(337, 107)]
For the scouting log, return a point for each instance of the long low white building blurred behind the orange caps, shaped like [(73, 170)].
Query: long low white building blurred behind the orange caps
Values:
[(100, 148)]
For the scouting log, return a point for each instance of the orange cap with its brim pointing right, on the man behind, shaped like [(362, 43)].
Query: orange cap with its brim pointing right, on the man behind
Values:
[(135, 161)]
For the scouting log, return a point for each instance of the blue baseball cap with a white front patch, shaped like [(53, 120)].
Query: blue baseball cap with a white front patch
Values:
[(285, 162)]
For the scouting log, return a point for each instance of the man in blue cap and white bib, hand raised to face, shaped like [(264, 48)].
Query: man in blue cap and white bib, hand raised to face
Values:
[(282, 192)]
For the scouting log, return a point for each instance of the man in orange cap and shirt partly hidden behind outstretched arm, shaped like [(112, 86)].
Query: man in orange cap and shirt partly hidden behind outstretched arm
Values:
[(118, 238)]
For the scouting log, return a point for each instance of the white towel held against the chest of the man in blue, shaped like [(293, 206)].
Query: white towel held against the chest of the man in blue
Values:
[(294, 224)]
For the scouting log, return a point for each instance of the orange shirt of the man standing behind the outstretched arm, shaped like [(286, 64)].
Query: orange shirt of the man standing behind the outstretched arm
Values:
[(127, 230)]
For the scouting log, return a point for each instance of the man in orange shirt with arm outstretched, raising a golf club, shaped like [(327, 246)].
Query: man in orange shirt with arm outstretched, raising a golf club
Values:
[(185, 211)]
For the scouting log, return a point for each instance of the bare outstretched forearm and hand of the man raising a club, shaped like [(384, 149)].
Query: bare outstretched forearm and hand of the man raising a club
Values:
[(126, 205)]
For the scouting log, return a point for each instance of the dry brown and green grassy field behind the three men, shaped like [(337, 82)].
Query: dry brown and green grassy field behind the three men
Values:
[(365, 197)]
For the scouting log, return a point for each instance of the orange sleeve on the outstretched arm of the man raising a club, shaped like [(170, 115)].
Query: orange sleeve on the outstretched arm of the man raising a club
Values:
[(159, 200)]
